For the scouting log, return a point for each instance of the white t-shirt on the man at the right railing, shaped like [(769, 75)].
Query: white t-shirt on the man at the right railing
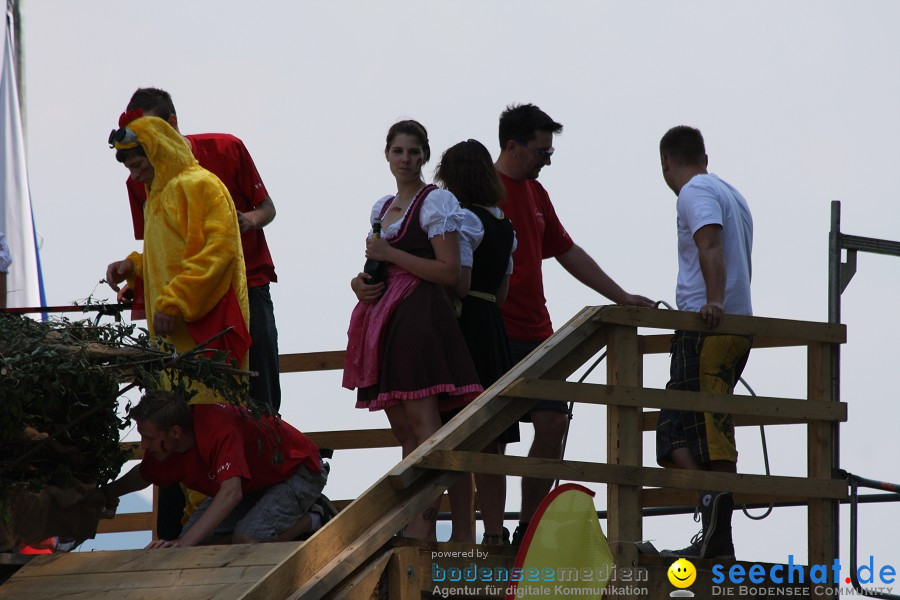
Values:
[(707, 200)]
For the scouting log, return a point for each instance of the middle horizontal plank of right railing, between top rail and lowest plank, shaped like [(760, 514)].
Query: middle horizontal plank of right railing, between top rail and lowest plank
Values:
[(619, 395)]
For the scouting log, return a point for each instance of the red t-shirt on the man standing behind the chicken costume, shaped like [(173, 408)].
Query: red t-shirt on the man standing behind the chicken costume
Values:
[(227, 157)]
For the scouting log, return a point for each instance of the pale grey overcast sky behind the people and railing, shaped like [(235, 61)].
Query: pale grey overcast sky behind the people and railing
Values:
[(797, 102)]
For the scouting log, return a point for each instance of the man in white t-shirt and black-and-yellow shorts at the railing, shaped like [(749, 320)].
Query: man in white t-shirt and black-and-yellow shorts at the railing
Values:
[(715, 239)]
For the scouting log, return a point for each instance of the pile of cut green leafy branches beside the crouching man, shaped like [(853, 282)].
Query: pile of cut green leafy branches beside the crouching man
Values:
[(60, 385)]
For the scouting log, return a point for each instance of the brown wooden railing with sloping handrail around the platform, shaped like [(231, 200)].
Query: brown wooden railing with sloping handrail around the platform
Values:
[(367, 524)]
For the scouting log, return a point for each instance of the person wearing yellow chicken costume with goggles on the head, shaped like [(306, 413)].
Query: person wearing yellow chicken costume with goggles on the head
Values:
[(191, 273)]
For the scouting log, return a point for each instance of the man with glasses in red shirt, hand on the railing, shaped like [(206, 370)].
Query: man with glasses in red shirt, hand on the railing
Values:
[(526, 145)]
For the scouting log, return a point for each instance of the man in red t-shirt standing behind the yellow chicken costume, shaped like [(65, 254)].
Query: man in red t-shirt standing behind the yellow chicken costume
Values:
[(226, 156)]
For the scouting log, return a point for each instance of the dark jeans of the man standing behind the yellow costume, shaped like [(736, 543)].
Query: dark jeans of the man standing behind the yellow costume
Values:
[(265, 388)]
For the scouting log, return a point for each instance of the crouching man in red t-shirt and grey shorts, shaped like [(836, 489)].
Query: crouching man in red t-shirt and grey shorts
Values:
[(263, 477)]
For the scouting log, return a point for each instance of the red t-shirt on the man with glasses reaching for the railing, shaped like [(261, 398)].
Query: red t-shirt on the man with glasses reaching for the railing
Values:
[(540, 235)]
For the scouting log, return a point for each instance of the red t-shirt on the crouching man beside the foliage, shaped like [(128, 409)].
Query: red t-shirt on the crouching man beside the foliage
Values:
[(229, 443)]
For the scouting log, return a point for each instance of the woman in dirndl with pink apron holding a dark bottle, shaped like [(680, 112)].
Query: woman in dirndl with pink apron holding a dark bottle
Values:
[(405, 353)]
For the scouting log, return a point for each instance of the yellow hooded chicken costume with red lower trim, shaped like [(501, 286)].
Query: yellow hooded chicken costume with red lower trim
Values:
[(192, 266)]
